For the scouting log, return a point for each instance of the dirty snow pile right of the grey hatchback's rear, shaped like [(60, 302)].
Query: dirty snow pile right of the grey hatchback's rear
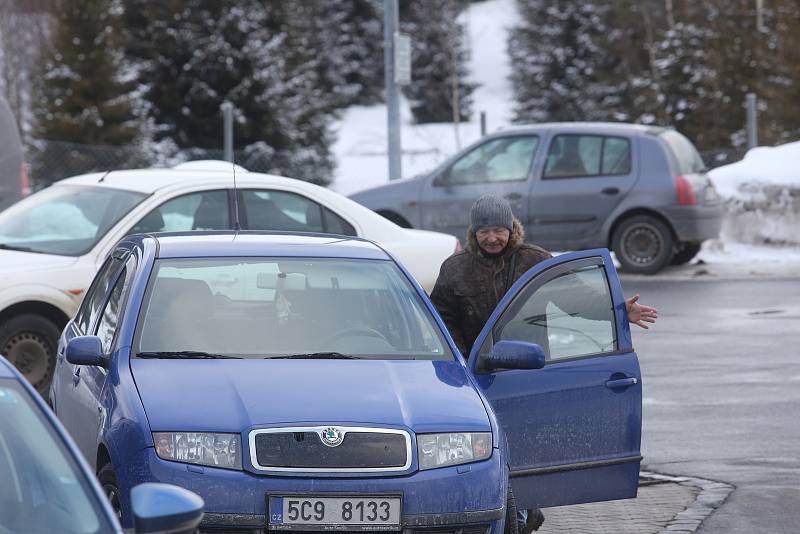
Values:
[(763, 196)]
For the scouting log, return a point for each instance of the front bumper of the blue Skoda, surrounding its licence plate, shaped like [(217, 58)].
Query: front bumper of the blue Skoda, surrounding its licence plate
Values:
[(470, 494)]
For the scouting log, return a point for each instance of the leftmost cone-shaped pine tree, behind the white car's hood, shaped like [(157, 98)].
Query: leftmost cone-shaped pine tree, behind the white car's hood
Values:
[(82, 96)]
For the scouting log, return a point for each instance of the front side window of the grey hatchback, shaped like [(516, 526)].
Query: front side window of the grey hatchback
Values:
[(506, 159)]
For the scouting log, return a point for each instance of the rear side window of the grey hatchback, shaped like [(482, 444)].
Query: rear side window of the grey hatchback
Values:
[(572, 156)]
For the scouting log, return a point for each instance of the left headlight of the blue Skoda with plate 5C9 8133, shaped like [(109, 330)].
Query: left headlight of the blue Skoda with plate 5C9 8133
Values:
[(202, 448)]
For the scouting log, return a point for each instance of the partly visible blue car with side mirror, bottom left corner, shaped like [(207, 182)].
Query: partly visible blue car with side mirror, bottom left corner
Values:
[(46, 486)]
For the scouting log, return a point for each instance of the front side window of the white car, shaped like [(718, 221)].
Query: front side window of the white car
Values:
[(202, 210)]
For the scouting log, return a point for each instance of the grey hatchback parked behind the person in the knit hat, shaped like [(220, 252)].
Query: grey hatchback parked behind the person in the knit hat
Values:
[(641, 191)]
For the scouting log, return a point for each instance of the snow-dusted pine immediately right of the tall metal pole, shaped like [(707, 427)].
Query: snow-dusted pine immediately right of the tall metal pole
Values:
[(438, 68)]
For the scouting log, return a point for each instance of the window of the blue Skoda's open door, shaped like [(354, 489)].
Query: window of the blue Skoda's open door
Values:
[(571, 315)]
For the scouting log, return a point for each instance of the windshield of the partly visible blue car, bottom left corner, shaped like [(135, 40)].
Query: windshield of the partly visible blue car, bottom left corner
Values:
[(42, 488)]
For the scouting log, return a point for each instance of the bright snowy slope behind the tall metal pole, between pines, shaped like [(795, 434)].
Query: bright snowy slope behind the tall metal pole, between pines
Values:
[(360, 148)]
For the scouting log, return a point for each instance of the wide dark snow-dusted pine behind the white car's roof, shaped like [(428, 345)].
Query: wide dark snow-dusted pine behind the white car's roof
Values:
[(192, 55)]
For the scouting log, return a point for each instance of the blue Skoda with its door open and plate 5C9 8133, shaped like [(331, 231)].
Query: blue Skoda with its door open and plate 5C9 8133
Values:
[(306, 382)]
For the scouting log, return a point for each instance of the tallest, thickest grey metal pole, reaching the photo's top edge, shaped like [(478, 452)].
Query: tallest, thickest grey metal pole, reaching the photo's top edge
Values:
[(390, 26)]
